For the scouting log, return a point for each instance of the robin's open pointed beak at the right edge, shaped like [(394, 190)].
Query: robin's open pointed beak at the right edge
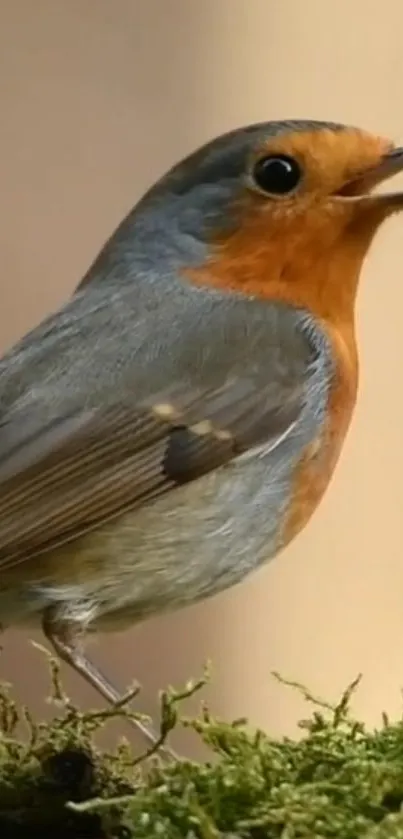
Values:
[(360, 189)]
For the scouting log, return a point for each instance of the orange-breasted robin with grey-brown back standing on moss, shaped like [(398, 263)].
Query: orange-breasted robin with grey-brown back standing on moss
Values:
[(177, 421)]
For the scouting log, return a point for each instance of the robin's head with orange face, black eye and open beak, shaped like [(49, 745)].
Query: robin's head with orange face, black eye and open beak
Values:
[(284, 209)]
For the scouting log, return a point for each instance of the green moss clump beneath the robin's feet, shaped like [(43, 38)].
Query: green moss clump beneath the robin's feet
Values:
[(338, 780)]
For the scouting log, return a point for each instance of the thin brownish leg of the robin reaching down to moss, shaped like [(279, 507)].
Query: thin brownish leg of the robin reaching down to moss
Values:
[(63, 637)]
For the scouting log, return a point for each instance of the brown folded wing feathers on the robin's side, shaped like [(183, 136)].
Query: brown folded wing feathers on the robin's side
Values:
[(62, 479)]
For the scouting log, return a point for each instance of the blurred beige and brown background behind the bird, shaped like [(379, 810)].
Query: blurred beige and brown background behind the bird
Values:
[(97, 99)]
